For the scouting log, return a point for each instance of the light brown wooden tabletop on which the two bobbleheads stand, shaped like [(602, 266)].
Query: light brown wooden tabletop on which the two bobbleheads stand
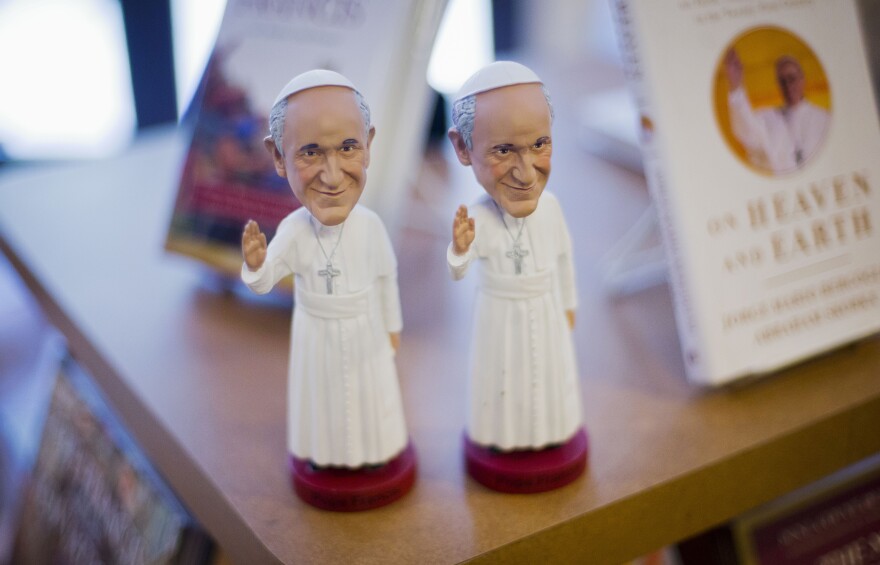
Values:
[(199, 376)]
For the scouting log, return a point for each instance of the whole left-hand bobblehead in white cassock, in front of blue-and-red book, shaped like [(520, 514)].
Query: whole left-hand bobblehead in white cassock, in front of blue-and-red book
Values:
[(344, 404)]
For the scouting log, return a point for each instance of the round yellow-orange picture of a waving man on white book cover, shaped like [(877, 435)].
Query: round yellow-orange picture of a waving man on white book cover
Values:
[(772, 100)]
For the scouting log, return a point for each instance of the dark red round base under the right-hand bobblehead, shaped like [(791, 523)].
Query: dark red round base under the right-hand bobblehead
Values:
[(527, 470)]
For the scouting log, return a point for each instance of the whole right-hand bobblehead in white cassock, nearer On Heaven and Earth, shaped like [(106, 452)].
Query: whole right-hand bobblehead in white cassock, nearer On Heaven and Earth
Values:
[(523, 389)]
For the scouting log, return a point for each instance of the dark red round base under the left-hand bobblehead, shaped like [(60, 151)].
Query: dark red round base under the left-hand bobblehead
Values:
[(353, 490)]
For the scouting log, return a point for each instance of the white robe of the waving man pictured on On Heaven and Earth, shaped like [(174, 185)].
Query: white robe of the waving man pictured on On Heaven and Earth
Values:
[(777, 139)]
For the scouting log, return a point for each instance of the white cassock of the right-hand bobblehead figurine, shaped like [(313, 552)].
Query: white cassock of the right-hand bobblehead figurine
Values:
[(524, 389)]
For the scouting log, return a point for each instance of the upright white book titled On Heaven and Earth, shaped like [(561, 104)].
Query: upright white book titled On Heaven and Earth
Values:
[(760, 142)]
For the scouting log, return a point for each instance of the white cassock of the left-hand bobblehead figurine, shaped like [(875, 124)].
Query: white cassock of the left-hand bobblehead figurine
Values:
[(344, 404)]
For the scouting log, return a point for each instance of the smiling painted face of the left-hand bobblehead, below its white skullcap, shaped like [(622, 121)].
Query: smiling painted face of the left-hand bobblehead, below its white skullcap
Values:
[(326, 151)]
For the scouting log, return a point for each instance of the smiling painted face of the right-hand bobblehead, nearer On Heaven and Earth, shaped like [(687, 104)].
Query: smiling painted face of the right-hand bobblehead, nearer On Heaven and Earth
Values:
[(511, 146)]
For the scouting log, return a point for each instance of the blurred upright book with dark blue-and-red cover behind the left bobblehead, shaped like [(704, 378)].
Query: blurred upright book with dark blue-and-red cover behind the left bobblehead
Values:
[(228, 176)]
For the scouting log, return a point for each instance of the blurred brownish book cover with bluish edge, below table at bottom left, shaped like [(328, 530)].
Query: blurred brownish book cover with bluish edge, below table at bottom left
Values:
[(93, 497)]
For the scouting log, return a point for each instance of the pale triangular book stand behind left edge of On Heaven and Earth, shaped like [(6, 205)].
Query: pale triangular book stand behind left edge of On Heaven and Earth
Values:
[(632, 266)]
